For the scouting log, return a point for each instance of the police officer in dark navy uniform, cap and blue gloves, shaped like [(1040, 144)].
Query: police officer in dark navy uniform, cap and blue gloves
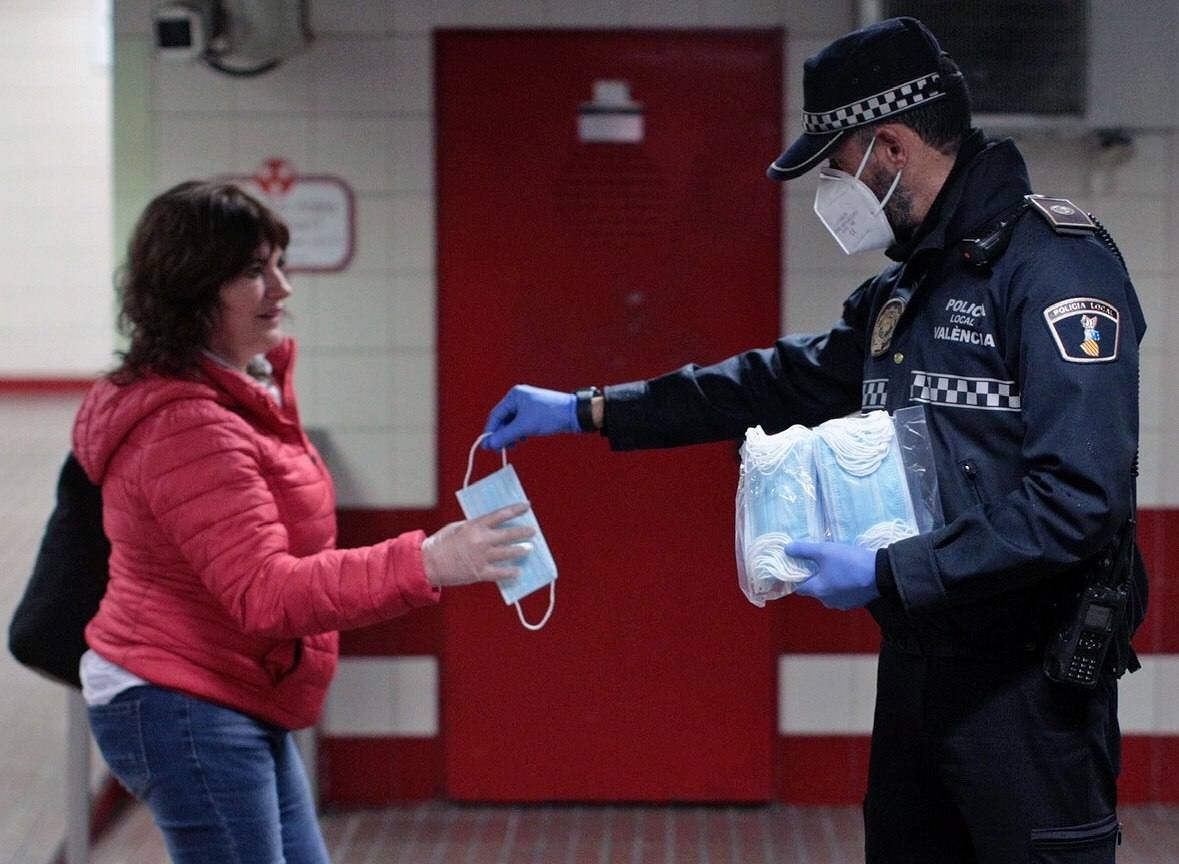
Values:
[(1018, 329)]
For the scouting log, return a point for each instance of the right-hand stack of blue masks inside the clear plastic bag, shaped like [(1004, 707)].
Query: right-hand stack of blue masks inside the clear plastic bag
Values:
[(862, 482)]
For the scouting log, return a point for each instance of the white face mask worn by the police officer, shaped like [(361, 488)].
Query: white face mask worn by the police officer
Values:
[(849, 210)]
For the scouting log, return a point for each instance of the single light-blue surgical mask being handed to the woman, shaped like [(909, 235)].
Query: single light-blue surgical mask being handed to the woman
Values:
[(538, 568)]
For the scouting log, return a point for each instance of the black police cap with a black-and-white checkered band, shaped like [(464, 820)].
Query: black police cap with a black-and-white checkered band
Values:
[(872, 74)]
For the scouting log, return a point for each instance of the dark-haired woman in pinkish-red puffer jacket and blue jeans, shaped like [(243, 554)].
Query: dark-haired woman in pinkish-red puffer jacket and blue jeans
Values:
[(218, 634)]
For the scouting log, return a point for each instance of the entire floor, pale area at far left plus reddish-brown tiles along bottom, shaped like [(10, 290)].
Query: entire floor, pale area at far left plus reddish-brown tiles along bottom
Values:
[(34, 441)]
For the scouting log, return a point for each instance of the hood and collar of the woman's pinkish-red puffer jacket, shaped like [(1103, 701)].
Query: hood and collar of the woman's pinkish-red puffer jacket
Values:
[(111, 412)]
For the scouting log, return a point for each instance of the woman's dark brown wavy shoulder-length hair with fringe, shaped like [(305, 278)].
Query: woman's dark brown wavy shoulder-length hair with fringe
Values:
[(189, 242)]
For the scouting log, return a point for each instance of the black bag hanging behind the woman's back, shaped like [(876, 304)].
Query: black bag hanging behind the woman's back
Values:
[(68, 584)]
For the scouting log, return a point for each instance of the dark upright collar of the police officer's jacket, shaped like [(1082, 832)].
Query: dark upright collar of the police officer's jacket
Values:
[(989, 177)]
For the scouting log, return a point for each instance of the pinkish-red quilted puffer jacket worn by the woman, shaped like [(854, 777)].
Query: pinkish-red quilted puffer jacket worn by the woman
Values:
[(225, 579)]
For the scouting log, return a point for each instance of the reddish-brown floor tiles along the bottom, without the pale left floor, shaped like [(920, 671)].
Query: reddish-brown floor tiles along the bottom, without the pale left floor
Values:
[(439, 834)]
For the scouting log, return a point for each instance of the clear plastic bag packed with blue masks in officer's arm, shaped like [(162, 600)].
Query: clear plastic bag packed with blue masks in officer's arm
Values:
[(867, 480)]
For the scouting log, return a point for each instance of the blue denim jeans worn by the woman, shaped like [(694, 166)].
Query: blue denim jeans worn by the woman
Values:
[(223, 788)]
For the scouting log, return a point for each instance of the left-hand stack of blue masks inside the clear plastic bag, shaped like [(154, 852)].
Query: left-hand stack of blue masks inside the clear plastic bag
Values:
[(778, 504)]
